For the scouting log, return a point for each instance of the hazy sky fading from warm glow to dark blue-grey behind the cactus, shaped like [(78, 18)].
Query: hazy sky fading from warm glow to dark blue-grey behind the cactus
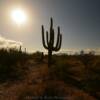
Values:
[(79, 21)]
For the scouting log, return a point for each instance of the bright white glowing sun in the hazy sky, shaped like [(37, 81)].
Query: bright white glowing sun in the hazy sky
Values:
[(18, 16)]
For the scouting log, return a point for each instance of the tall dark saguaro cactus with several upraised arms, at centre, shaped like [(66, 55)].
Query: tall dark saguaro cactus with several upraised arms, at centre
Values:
[(49, 43)]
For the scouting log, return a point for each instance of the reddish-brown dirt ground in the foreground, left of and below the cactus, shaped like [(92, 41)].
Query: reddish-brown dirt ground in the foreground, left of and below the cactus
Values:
[(37, 84)]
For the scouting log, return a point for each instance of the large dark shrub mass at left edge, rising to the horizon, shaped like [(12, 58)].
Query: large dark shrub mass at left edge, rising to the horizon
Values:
[(8, 64)]
